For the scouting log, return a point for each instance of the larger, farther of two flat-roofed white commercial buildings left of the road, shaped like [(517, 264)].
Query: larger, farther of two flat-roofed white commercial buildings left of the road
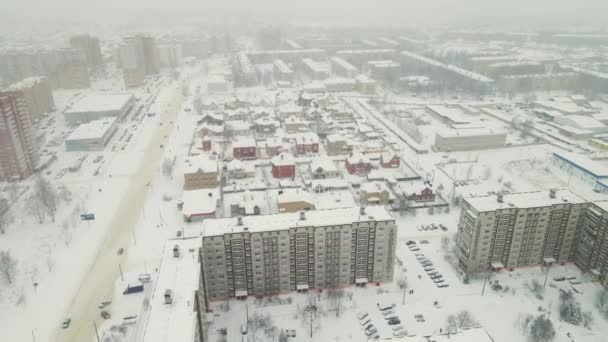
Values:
[(98, 106)]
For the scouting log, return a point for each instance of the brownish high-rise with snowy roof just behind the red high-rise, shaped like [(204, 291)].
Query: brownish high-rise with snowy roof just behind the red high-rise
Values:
[(38, 95)]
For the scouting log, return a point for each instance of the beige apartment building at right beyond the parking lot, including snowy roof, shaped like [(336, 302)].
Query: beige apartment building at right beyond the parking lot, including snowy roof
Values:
[(520, 229)]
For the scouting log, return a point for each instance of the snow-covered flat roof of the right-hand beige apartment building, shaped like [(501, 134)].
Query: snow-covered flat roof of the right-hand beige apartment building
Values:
[(523, 200)]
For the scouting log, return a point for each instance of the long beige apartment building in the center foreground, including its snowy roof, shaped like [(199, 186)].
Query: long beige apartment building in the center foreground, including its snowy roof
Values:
[(270, 254)]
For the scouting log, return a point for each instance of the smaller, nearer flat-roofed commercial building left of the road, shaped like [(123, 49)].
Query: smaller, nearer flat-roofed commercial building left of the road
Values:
[(92, 136)]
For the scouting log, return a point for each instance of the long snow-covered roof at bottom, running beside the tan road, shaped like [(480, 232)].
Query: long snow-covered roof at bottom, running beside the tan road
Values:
[(175, 321)]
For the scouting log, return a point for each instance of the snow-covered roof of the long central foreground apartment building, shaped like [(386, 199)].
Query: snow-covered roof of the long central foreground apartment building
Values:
[(283, 221)]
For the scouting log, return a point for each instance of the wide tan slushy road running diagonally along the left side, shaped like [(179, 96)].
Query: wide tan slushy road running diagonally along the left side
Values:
[(98, 283)]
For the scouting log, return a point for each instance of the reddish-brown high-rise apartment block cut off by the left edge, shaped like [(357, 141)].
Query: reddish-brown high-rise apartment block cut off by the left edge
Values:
[(16, 150)]
